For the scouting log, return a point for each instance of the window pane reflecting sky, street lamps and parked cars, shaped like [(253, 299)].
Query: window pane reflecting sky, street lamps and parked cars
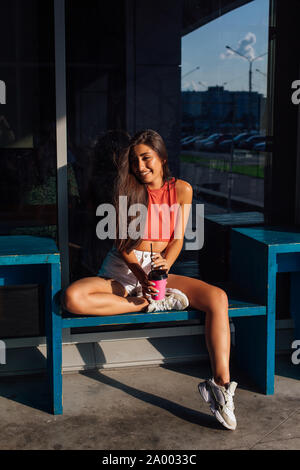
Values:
[(224, 96)]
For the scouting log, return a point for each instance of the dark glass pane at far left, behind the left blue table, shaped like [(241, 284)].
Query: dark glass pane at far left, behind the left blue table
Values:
[(27, 144)]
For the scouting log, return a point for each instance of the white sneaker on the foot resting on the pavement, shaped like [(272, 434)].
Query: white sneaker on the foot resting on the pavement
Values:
[(221, 401)]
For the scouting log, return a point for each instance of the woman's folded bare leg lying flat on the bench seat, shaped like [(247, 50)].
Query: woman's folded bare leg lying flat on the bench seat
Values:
[(98, 296)]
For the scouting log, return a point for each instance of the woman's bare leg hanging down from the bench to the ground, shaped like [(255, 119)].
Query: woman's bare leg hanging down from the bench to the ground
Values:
[(213, 301)]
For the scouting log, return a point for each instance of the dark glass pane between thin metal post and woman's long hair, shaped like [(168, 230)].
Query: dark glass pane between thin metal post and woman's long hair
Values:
[(96, 96)]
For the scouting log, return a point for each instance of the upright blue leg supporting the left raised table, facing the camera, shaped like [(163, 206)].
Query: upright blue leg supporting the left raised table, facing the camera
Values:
[(54, 338)]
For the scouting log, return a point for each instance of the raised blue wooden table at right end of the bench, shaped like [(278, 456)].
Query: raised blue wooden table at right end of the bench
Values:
[(257, 256)]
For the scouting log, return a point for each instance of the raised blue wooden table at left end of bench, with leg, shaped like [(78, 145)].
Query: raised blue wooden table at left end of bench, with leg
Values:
[(36, 260)]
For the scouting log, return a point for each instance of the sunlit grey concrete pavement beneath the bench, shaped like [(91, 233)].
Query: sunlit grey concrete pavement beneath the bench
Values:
[(148, 408)]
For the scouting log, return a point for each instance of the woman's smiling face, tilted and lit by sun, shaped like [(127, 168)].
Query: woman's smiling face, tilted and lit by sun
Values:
[(147, 165)]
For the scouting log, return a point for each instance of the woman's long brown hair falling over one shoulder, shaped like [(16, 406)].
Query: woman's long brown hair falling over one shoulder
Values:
[(128, 185)]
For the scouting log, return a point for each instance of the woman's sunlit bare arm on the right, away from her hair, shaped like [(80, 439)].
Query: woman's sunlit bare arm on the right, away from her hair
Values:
[(184, 192)]
